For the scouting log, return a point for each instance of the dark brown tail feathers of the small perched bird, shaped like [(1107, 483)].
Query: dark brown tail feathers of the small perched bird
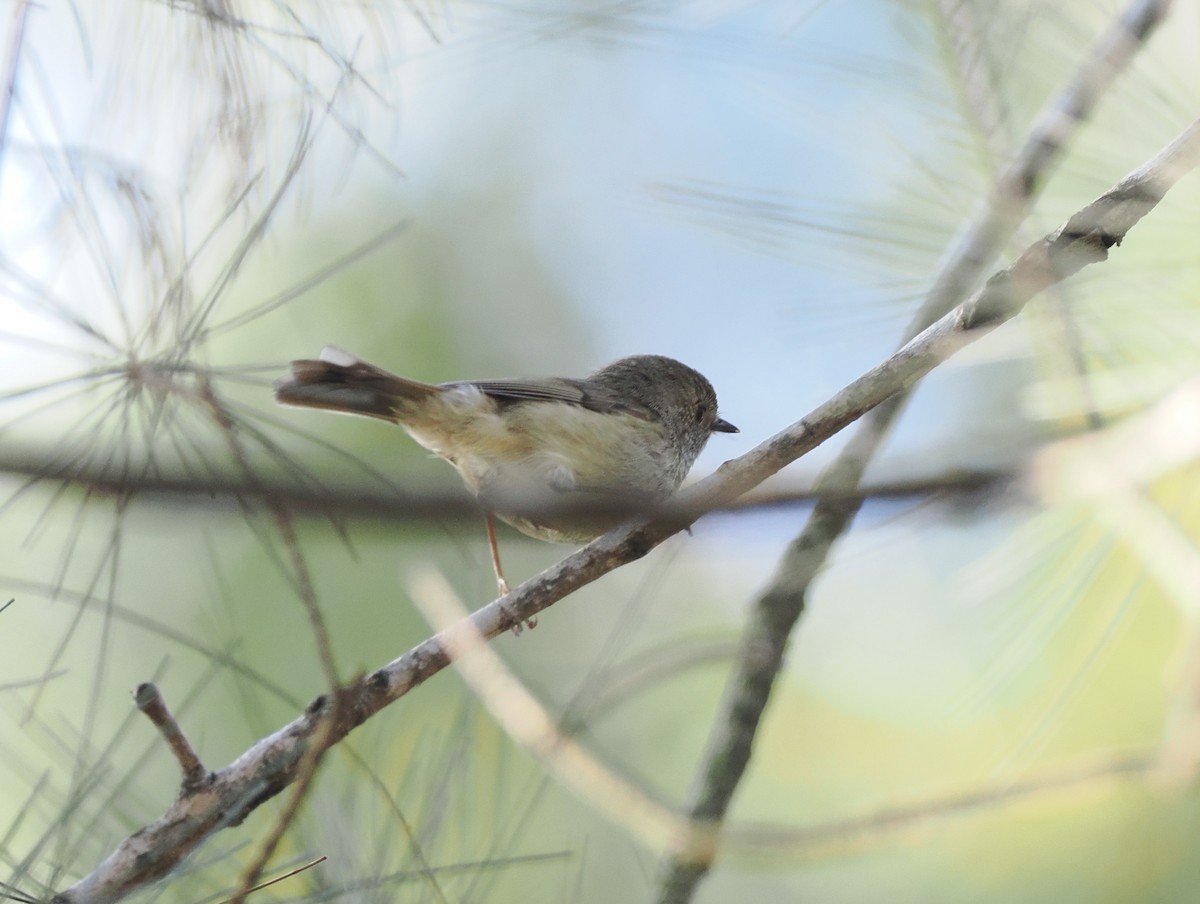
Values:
[(341, 382)]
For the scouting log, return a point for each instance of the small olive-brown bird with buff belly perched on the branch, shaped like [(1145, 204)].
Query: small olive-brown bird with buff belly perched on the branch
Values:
[(560, 459)]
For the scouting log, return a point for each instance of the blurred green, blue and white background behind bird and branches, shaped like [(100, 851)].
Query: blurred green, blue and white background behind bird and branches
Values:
[(992, 693)]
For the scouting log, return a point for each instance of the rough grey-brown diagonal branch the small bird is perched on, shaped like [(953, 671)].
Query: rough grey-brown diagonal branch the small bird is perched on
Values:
[(274, 763)]
